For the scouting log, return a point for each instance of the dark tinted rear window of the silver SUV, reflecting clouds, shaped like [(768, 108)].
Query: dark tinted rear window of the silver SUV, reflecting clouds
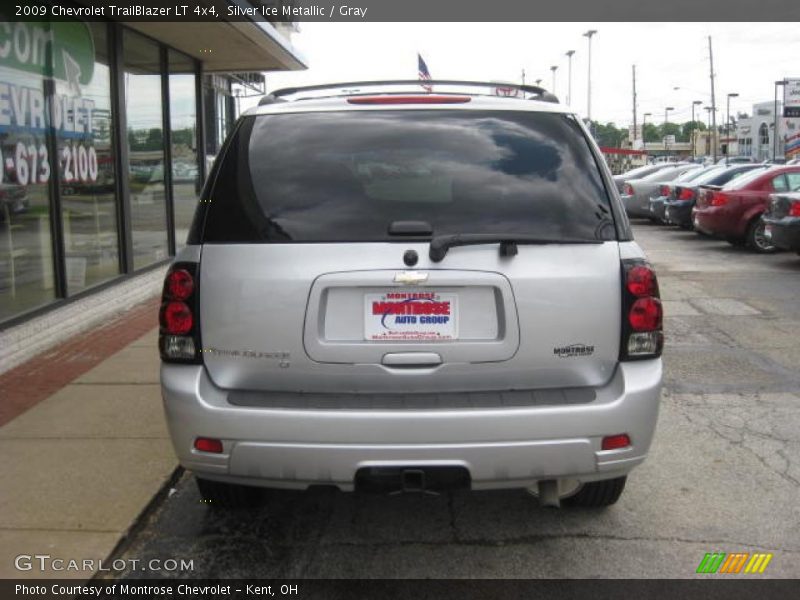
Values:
[(346, 176)]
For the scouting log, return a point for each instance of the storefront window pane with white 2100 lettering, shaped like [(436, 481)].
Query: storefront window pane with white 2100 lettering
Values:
[(86, 159)]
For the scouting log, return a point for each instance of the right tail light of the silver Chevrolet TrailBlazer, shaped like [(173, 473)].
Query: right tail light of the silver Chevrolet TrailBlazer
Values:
[(642, 313)]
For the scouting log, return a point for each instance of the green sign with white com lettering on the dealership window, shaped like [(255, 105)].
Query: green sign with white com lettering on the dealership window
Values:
[(60, 49)]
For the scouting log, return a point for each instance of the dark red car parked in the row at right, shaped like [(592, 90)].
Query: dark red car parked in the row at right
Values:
[(734, 211)]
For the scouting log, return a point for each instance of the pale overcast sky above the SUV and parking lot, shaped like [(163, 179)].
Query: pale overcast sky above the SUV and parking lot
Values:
[(748, 58)]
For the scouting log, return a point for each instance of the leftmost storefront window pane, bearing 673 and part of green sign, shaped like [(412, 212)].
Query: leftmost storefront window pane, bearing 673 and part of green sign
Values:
[(26, 167)]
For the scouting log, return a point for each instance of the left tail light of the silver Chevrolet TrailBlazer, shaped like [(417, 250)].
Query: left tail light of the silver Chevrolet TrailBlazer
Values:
[(179, 331)]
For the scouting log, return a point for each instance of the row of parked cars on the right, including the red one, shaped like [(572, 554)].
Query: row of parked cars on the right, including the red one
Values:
[(755, 205)]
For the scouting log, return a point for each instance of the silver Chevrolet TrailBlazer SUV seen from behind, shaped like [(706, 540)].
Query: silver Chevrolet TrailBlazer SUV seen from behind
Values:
[(411, 290)]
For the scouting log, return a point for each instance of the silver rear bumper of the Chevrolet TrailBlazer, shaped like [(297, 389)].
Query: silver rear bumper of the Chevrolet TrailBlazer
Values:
[(500, 447)]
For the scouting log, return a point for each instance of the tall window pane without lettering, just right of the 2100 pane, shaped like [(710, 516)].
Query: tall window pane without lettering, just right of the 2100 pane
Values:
[(143, 102)]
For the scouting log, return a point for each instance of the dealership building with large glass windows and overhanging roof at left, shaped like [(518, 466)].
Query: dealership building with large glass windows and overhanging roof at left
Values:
[(106, 132)]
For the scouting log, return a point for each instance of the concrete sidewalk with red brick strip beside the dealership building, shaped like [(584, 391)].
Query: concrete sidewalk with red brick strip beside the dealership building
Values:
[(84, 445)]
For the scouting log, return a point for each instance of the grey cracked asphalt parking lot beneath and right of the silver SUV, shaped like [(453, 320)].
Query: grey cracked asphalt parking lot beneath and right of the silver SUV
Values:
[(723, 474)]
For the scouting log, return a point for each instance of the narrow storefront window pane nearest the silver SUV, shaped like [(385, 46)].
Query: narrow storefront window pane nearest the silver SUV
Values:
[(183, 132)]
